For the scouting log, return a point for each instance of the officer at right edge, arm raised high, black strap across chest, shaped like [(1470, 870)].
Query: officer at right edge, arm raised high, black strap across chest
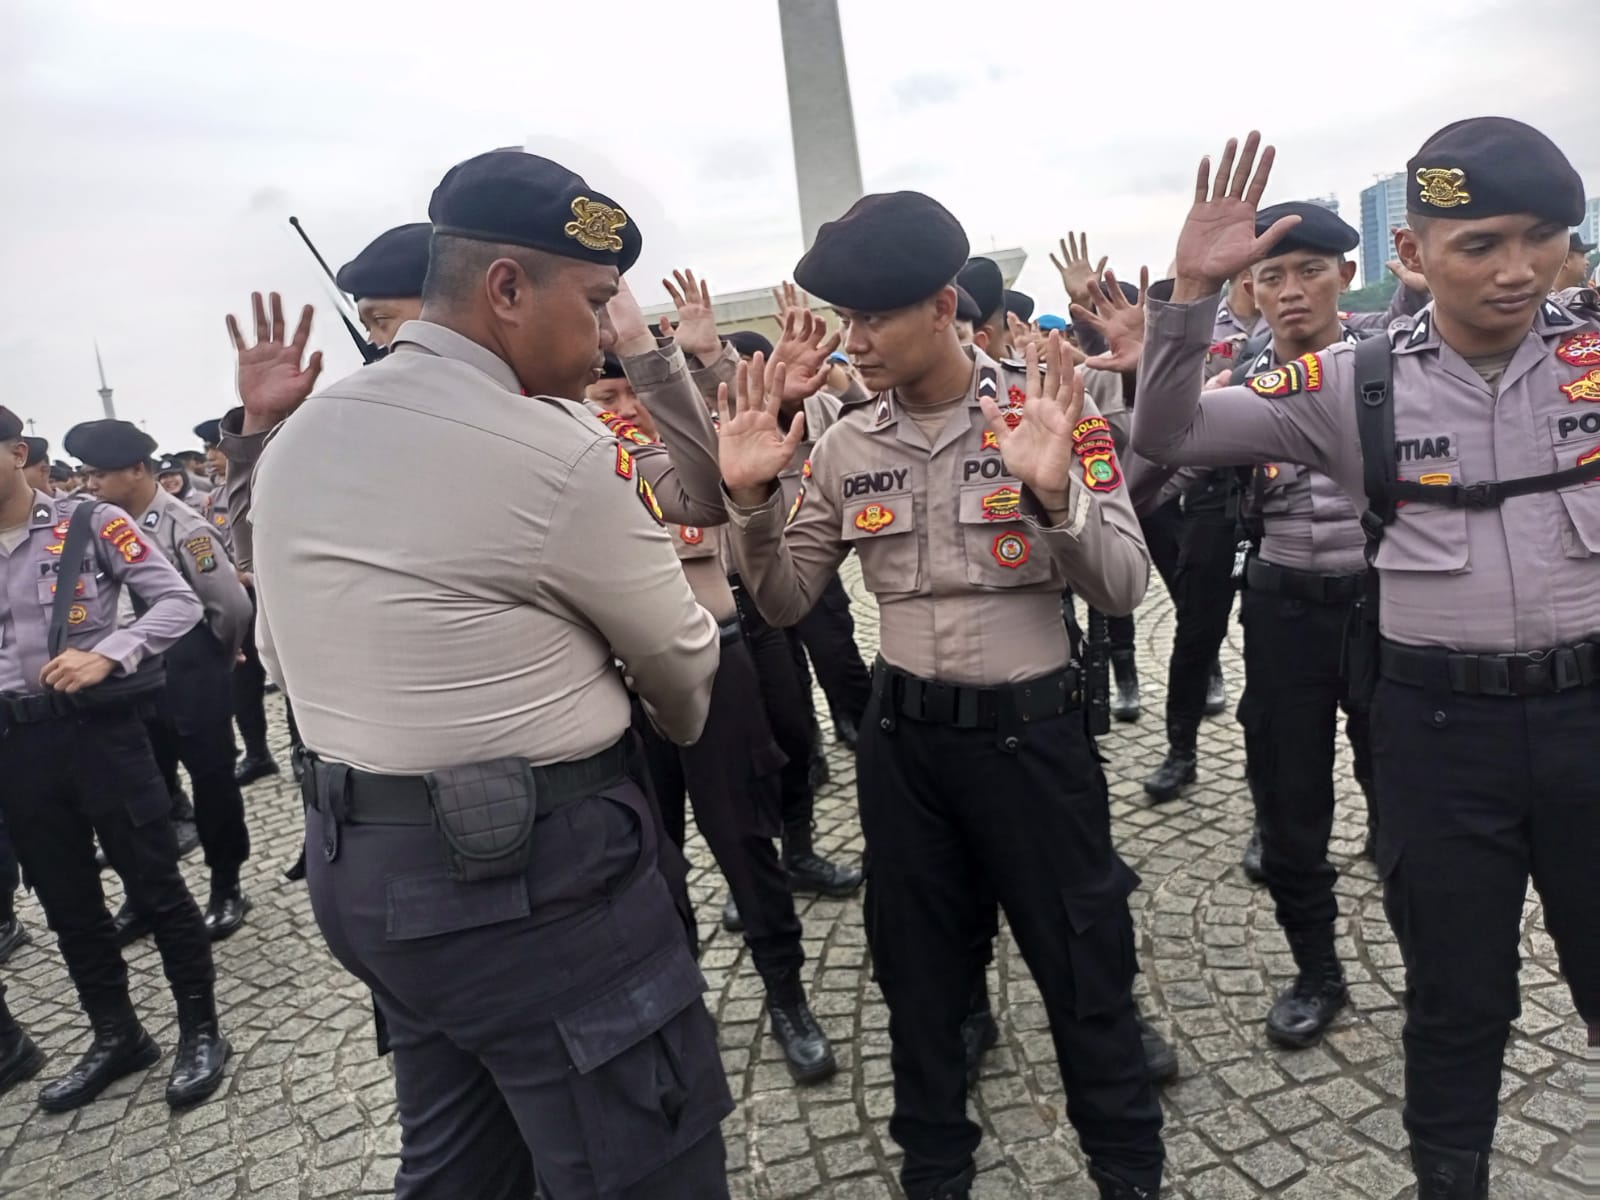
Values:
[(1486, 711)]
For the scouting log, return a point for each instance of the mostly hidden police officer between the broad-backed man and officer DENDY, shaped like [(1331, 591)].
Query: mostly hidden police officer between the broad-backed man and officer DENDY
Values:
[(732, 774)]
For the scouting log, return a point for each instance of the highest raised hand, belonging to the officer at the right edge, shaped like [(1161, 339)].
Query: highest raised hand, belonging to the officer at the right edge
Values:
[(1220, 236)]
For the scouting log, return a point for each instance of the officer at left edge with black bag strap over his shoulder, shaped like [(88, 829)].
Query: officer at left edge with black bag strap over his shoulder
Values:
[(78, 766)]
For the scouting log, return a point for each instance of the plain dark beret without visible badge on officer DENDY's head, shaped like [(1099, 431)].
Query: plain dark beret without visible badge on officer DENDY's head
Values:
[(890, 250)]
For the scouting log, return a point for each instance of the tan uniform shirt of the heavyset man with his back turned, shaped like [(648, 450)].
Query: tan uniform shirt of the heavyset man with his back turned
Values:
[(423, 625)]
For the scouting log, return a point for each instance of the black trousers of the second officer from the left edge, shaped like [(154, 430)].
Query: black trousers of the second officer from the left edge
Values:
[(193, 729)]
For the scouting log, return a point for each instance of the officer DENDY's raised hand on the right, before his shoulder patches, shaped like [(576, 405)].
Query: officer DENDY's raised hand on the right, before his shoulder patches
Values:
[(1041, 450)]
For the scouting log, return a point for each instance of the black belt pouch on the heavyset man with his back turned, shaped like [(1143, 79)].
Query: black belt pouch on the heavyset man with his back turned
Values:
[(484, 815)]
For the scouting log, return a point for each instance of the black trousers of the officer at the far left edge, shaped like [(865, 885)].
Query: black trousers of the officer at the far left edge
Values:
[(66, 783)]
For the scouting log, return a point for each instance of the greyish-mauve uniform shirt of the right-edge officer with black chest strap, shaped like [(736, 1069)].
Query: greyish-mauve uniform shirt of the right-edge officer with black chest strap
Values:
[(1524, 577)]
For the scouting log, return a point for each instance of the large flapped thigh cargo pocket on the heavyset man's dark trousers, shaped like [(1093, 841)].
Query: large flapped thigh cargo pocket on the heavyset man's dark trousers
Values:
[(647, 1078)]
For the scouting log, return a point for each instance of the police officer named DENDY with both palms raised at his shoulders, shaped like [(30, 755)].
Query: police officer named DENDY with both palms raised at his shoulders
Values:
[(974, 695)]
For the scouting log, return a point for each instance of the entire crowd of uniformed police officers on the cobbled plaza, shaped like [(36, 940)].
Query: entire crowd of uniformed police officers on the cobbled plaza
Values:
[(495, 814)]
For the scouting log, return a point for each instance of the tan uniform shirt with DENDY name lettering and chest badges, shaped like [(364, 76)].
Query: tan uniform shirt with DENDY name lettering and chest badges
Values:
[(967, 574)]
